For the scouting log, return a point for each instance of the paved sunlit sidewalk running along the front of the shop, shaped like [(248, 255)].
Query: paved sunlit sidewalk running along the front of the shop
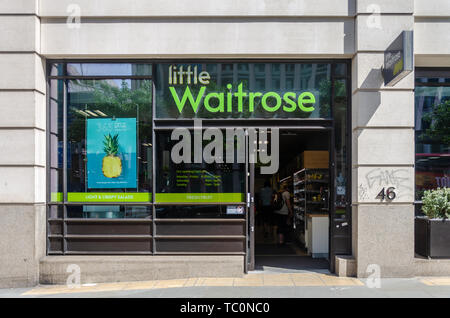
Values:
[(252, 285)]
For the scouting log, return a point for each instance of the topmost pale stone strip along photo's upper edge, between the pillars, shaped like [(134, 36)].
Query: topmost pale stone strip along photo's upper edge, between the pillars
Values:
[(214, 8)]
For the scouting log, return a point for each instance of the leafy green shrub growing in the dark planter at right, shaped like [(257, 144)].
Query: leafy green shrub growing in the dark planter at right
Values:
[(436, 203)]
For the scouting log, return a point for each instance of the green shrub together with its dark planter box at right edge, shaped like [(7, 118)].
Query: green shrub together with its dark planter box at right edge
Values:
[(432, 232)]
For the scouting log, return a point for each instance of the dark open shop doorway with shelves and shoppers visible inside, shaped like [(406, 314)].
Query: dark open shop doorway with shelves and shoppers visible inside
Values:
[(294, 235)]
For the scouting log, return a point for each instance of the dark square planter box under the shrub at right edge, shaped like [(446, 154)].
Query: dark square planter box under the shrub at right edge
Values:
[(432, 237)]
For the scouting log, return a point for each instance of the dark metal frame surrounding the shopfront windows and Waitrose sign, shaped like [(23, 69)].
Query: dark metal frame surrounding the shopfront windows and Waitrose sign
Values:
[(163, 124)]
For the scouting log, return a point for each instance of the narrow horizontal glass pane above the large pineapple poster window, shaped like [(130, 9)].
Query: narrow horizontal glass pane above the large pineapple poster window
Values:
[(111, 69)]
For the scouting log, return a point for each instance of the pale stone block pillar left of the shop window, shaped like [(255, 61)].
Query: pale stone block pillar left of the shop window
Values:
[(22, 144)]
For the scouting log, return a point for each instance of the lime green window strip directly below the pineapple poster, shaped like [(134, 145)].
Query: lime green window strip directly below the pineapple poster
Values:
[(108, 197)]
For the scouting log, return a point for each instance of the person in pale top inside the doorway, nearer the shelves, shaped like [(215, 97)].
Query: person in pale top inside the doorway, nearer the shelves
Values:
[(283, 213)]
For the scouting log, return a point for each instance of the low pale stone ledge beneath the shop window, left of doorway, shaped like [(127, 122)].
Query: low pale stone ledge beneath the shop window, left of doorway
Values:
[(102, 269)]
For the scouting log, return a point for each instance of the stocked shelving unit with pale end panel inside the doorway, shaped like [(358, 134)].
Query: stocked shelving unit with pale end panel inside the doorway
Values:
[(311, 209)]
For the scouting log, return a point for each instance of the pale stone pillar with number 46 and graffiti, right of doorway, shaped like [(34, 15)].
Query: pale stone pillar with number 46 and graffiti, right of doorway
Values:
[(383, 144)]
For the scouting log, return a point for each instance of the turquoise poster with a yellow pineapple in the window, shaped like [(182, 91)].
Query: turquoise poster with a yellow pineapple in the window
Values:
[(111, 153)]
